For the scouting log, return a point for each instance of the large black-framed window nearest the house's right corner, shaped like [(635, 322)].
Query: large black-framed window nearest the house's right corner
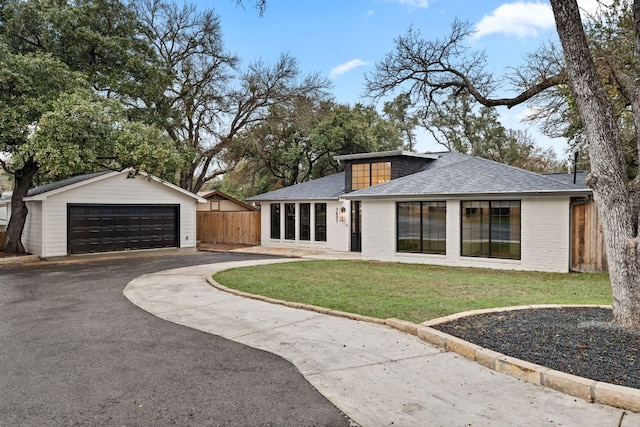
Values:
[(491, 229)]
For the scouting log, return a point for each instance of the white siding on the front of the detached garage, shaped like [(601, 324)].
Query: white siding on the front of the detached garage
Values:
[(117, 189)]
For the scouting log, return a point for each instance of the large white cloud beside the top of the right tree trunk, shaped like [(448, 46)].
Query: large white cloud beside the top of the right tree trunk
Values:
[(521, 19)]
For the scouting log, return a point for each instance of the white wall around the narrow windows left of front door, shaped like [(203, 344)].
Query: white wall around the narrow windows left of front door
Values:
[(337, 231)]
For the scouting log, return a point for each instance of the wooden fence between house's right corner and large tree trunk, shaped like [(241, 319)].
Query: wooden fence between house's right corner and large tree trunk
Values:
[(588, 252)]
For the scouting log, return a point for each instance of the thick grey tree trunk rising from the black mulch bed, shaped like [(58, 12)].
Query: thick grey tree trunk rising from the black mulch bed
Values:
[(608, 177)]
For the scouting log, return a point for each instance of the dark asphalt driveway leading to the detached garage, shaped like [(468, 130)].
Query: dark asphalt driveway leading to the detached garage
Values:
[(74, 351)]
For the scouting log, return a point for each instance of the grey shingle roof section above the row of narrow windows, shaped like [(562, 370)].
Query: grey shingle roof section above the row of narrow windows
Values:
[(326, 188)]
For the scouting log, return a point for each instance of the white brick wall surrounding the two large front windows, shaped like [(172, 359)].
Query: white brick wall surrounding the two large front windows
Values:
[(544, 237)]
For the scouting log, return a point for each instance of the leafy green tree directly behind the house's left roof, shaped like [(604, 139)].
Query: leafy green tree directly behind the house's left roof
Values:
[(298, 144)]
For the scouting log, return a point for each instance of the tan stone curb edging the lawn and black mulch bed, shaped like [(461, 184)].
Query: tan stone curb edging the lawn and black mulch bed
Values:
[(621, 397)]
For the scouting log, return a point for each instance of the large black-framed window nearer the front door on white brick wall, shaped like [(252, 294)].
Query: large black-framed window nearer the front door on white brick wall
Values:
[(422, 227)]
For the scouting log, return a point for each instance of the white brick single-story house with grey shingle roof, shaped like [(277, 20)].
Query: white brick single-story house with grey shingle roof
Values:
[(433, 208)]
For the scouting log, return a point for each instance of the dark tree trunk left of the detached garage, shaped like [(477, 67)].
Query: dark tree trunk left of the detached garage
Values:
[(23, 182)]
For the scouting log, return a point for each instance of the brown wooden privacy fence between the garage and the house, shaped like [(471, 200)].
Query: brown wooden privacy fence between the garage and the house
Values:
[(241, 227)]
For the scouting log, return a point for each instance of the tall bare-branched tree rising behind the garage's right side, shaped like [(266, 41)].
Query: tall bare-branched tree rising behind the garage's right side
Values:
[(208, 99)]
